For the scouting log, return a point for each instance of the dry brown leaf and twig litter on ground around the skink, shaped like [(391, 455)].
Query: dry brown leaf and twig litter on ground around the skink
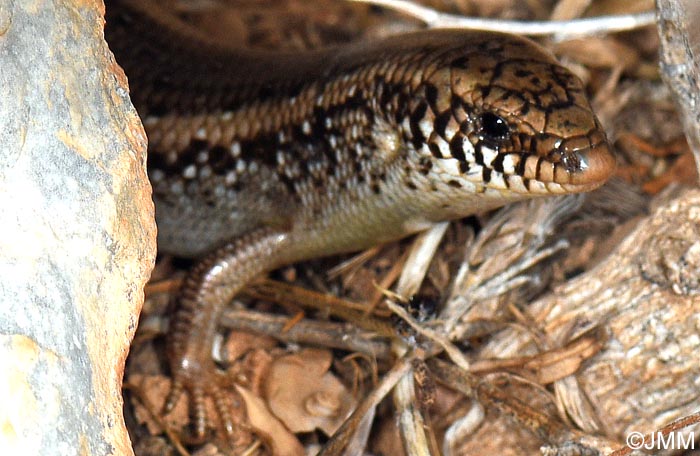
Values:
[(560, 324)]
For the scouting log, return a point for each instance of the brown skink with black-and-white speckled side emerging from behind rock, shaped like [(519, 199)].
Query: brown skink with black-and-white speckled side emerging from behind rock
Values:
[(258, 159)]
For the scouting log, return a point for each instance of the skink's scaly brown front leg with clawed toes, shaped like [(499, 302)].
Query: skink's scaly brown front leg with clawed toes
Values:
[(212, 284)]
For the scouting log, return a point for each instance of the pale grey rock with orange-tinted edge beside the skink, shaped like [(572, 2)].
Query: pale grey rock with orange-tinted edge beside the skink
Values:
[(78, 234)]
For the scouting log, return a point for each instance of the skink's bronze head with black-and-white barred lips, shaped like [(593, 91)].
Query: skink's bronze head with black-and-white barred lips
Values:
[(502, 114)]
